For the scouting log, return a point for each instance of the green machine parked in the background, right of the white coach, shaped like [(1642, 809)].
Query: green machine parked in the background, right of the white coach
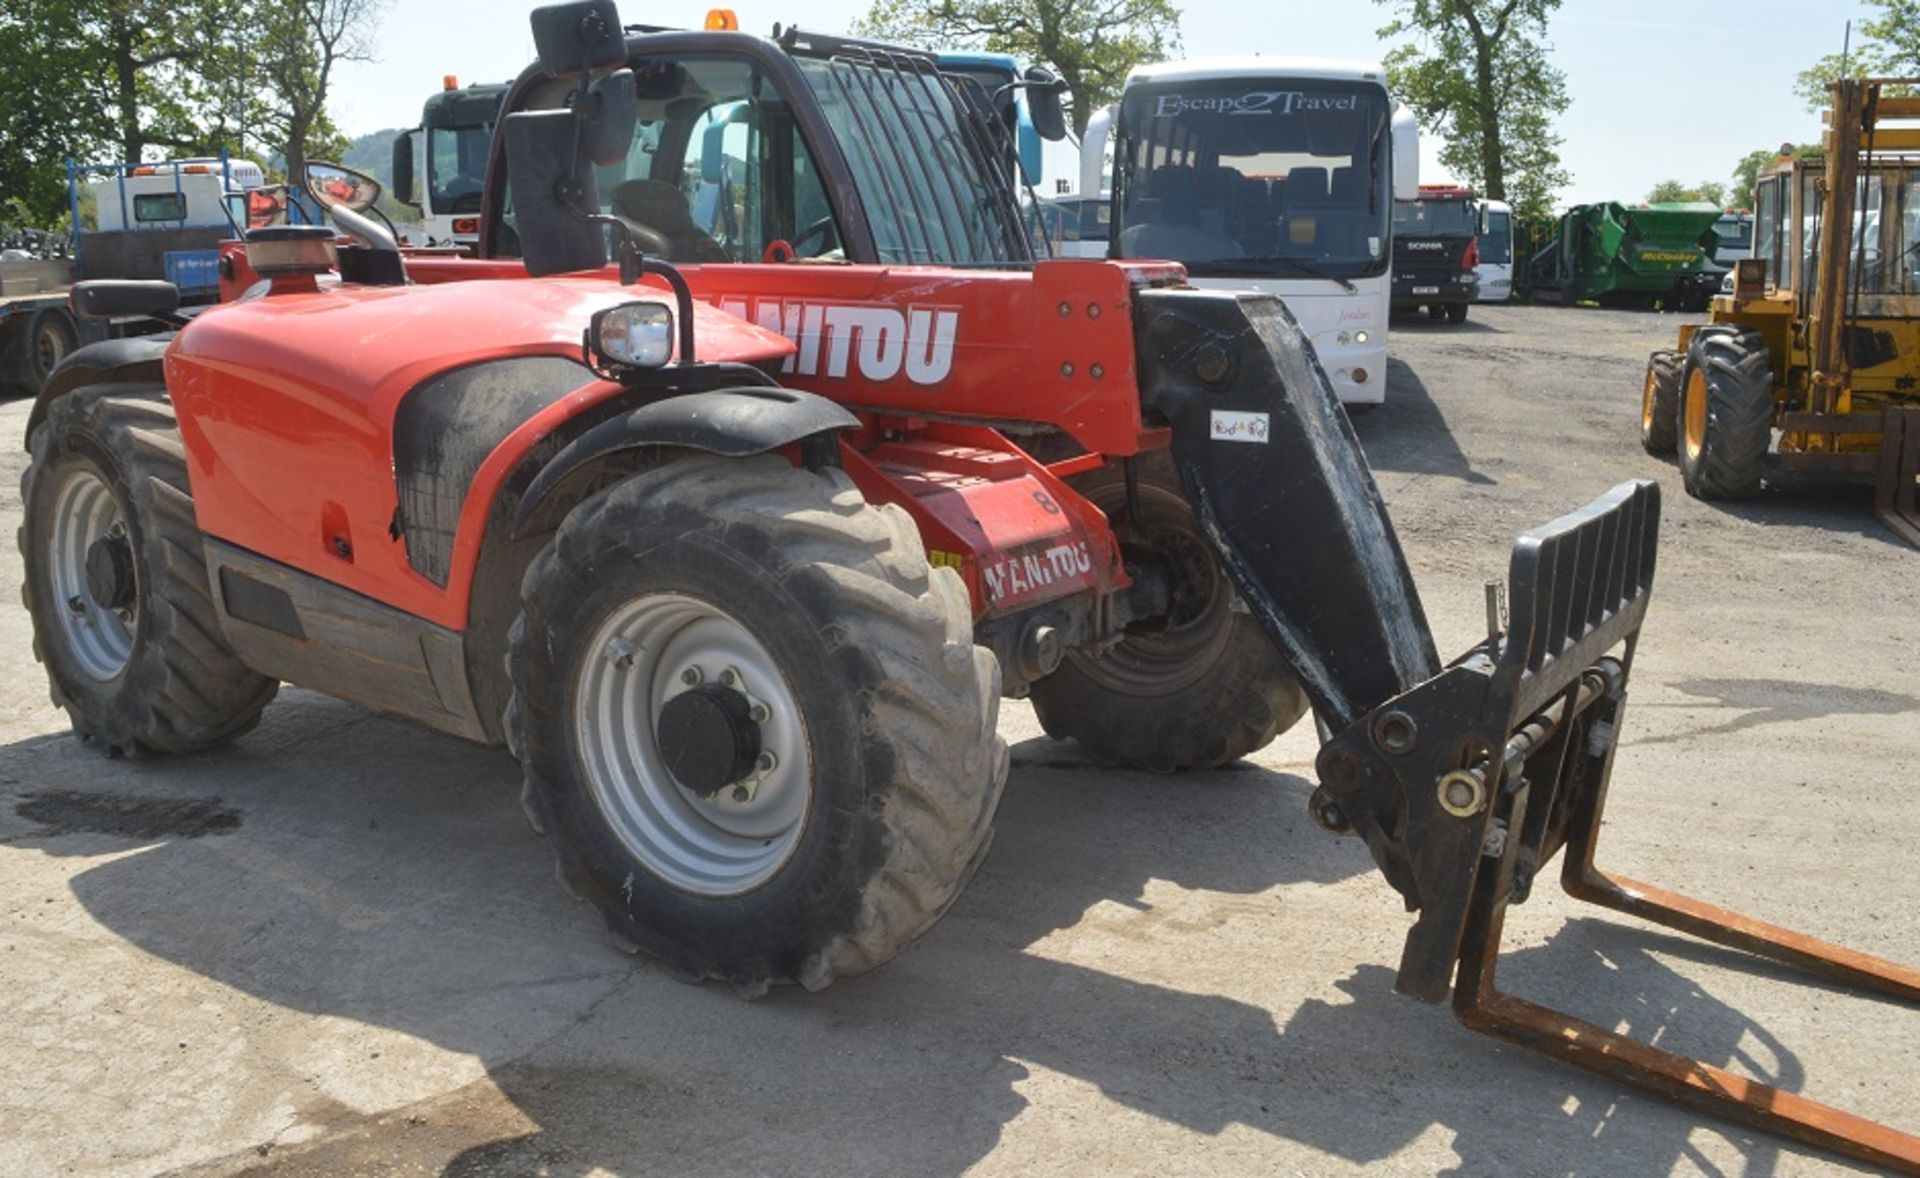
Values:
[(1629, 256)]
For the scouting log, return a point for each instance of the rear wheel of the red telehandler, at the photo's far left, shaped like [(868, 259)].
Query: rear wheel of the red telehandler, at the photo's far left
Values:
[(118, 584)]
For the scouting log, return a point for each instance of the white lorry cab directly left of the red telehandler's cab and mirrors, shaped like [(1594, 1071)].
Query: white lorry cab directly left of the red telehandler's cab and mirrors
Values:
[(450, 153)]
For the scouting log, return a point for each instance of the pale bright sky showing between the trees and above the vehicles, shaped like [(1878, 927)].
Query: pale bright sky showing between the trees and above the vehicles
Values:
[(1662, 91)]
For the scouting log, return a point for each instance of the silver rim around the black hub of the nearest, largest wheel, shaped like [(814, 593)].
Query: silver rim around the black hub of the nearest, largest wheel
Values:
[(646, 653)]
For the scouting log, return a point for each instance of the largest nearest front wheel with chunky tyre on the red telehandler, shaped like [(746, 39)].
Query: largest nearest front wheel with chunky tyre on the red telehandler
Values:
[(815, 766)]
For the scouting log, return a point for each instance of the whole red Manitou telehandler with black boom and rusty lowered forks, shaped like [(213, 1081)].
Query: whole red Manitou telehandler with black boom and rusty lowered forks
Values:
[(738, 540)]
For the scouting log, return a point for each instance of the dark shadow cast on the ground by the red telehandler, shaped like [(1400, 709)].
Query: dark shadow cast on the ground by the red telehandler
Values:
[(354, 868)]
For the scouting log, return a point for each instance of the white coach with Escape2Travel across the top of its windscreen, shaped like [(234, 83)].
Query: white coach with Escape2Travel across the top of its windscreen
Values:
[(1268, 174)]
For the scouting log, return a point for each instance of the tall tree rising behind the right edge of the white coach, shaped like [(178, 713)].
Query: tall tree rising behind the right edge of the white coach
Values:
[(1477, 74)]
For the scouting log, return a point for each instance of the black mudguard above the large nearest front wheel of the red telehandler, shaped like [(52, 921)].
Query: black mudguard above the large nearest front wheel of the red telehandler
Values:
[(731, 423)]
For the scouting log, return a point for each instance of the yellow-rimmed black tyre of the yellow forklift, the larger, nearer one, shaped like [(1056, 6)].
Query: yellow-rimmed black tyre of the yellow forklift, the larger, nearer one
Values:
[(1727, 415)]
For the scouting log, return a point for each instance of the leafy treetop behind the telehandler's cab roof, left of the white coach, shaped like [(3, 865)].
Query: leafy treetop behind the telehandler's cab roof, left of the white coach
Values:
[(1090, 43)]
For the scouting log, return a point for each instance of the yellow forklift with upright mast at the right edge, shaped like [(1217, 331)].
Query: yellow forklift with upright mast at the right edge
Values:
[(1821, 337)]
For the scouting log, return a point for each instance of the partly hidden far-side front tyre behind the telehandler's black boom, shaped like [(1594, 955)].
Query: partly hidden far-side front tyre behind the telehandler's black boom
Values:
[(1197, 694)]
